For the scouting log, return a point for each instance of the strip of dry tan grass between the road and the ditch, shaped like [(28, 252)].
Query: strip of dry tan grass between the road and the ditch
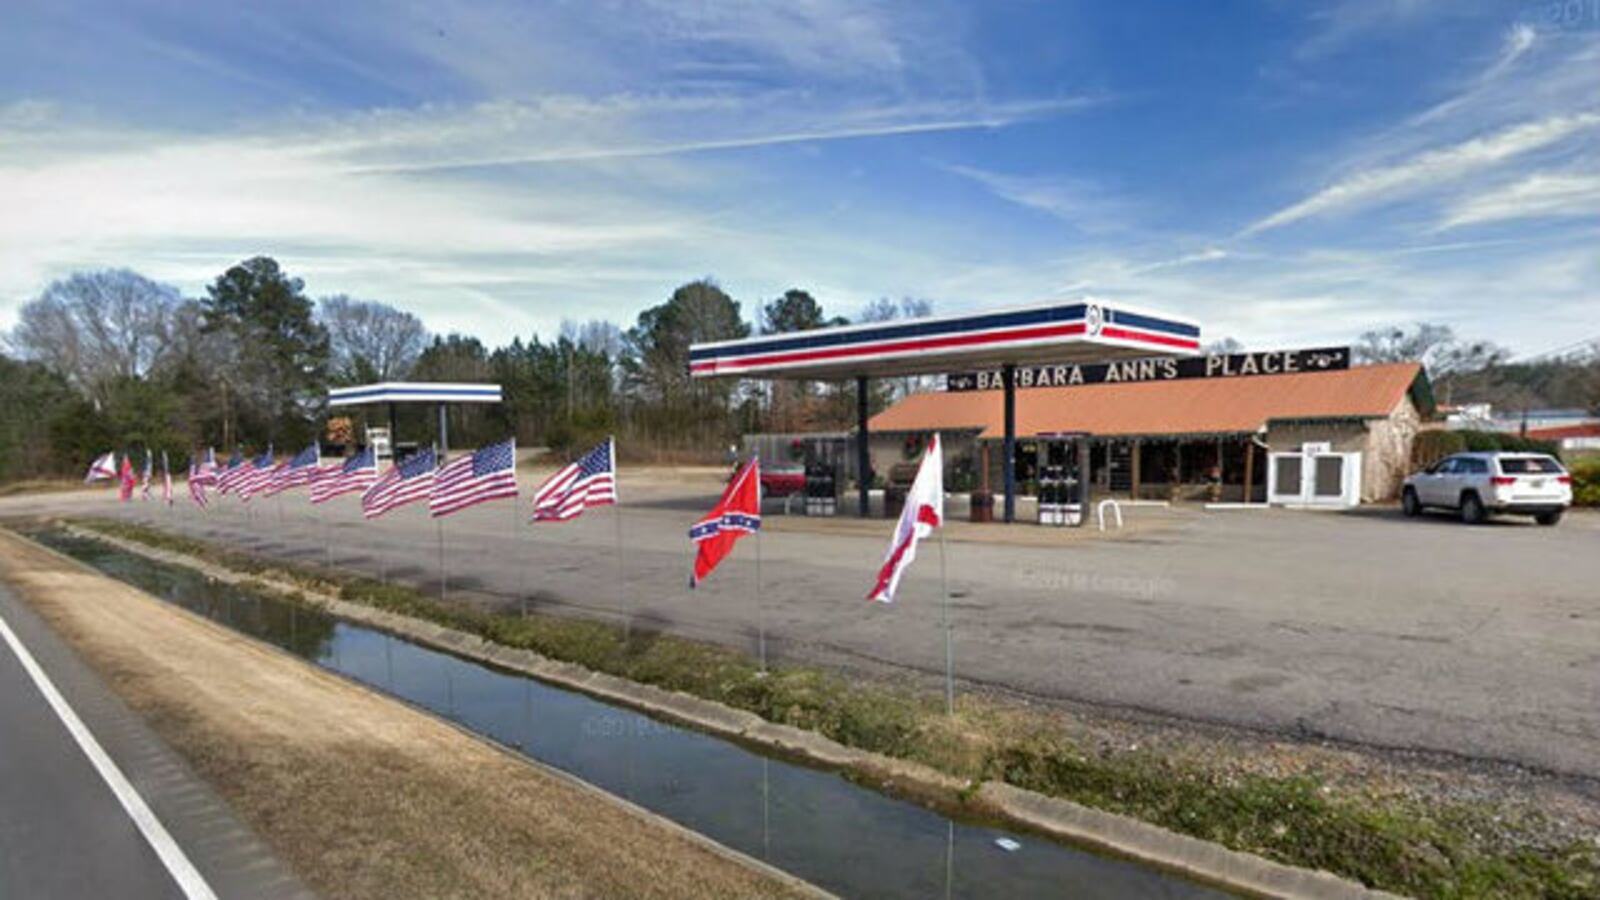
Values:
[(362, 797)]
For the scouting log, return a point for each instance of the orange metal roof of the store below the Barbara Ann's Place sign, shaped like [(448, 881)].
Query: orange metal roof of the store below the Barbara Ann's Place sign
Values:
[(1190, 406)]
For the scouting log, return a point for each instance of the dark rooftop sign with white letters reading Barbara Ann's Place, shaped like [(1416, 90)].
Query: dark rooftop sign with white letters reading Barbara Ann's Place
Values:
[(1158, 369)]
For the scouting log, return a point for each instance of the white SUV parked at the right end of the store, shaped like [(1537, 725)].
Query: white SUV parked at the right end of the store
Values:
[(1479, 484)]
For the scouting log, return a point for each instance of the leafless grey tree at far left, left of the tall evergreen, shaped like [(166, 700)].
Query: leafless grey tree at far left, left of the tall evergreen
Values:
[(100, 327)]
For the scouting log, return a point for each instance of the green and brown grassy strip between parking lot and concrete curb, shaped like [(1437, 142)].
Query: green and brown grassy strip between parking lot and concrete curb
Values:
[(1303, 808)]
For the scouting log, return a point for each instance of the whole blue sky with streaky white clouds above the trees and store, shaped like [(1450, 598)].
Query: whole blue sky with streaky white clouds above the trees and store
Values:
[(1287, 174)]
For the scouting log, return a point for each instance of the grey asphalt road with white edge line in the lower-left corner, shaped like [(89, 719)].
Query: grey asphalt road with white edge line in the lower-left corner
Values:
[(63, 832)]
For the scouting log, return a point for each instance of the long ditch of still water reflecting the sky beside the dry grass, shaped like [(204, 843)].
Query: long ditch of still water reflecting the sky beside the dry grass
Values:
[(812, 824)]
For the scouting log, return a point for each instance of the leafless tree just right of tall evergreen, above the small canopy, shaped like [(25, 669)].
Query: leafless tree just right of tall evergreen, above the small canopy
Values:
[(370, 342)]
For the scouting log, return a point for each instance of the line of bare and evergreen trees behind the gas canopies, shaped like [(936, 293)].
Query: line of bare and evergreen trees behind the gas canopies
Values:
[(111, 360)]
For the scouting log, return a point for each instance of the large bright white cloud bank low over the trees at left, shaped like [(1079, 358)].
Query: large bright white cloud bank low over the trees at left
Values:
[(418, 206)]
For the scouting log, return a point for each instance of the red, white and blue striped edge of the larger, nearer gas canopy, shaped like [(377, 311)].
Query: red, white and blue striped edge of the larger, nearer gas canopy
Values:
[(1081, 331)]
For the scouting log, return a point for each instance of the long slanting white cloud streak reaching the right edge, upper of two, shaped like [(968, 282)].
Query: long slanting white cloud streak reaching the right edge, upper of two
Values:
[(1431, 169)]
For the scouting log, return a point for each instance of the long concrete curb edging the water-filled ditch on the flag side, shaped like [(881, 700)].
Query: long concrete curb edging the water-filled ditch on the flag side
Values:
[(1076, 824)]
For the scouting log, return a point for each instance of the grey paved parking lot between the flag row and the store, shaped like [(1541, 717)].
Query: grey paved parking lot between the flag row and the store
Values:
[(1372, 629)]
